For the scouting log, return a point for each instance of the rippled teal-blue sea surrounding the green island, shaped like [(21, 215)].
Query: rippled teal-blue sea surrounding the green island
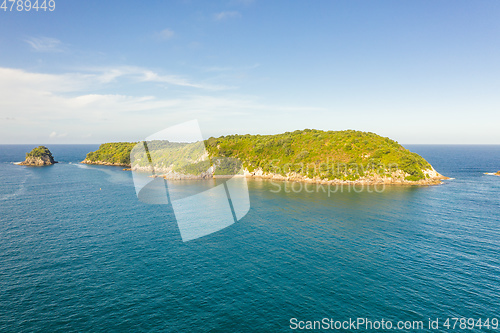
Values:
[(80, 253)]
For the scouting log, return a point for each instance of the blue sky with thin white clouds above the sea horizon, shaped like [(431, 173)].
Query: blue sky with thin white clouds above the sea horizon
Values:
[(101, 71)]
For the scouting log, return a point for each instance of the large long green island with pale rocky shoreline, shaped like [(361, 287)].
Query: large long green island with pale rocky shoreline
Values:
[(304, 155)]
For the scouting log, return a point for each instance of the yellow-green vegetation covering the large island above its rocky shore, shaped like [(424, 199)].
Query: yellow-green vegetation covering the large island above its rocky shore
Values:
[(332, 155)]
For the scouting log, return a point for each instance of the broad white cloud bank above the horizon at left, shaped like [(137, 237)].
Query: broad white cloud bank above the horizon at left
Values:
[(65, 107)]
